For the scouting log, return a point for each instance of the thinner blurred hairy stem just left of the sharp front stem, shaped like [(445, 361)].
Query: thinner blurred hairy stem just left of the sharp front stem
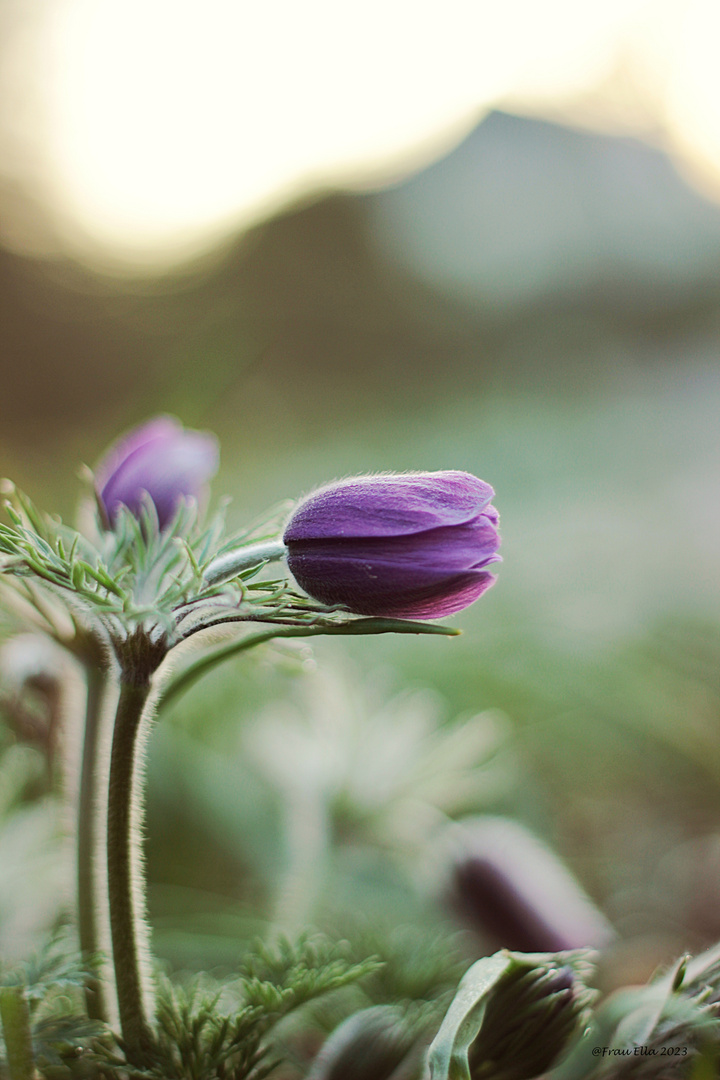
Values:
[(91, 899)]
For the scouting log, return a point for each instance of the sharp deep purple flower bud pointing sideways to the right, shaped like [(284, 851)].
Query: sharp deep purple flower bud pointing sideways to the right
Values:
[(411, 546)]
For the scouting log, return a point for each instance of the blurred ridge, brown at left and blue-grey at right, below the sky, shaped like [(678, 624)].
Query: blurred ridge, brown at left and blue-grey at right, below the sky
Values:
[(533, 252)]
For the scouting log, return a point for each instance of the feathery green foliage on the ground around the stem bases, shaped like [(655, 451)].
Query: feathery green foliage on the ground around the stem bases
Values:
[(206, 1030)]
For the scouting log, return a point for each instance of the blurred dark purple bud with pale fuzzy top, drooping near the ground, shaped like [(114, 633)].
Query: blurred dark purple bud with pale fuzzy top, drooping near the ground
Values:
[(518, 894)]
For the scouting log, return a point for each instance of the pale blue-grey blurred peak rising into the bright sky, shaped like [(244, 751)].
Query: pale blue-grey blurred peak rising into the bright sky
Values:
[(526, 211)]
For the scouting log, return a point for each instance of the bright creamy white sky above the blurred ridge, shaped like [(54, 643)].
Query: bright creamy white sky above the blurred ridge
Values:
[(161, 126)]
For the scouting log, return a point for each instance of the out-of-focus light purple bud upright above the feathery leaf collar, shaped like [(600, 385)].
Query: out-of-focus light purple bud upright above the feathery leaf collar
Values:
[(160, 458)]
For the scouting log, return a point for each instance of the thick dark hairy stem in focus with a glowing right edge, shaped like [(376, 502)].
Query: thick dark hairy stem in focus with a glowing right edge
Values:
[(126, 897)]
